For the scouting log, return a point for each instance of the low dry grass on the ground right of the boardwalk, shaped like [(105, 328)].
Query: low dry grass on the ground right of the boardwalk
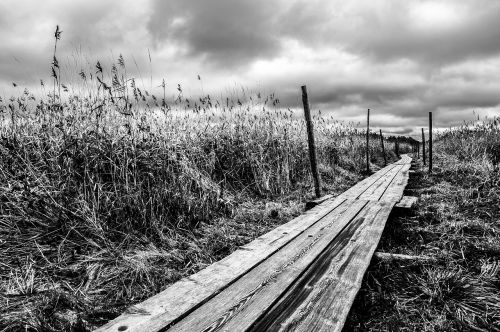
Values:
[(456, 222)]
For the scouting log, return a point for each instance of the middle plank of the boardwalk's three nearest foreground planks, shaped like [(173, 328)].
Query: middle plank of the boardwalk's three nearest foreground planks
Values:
[(238, 306)]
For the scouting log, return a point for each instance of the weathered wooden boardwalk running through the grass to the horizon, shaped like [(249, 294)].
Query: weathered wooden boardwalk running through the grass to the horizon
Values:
[(301, 276)]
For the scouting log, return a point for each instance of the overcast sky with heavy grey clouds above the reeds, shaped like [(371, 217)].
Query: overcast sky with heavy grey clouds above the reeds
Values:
[(401, 59)]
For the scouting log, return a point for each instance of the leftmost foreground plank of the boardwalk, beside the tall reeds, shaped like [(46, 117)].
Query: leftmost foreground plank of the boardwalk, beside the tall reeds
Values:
[(181, 297)]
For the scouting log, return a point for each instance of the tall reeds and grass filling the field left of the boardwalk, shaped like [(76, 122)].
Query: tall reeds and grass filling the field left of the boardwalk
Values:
[(109, 193)]
